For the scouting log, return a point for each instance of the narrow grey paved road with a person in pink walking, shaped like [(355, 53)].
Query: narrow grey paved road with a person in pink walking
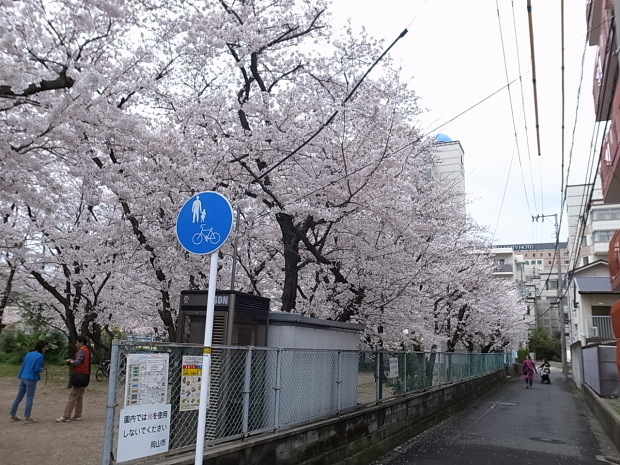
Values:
[(546, 425)]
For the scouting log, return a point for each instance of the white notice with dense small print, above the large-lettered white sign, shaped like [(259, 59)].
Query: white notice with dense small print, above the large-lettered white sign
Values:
[(147, 379)]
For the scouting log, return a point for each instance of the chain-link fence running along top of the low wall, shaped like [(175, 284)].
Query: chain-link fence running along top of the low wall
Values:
[(258, 389)]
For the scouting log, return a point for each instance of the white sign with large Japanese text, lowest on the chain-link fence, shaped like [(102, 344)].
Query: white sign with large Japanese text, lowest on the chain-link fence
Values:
[(143, 430)]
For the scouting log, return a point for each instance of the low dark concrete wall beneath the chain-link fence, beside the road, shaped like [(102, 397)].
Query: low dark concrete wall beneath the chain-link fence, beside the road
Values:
[(356, 437)]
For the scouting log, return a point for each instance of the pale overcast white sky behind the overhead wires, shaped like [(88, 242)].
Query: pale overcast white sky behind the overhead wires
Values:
[(459, 54)]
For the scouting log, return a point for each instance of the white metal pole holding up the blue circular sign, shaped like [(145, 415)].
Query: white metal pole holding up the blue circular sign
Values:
[(206, 362)]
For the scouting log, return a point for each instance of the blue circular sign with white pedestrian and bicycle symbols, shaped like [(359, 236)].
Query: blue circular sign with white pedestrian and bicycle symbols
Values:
[(204, 223)]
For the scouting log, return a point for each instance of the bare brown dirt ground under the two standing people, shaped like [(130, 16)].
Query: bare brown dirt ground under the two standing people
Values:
[(46, 442)]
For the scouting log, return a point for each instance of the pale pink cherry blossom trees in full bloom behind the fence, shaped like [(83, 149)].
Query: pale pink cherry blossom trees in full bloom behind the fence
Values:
[(114, 114)]
